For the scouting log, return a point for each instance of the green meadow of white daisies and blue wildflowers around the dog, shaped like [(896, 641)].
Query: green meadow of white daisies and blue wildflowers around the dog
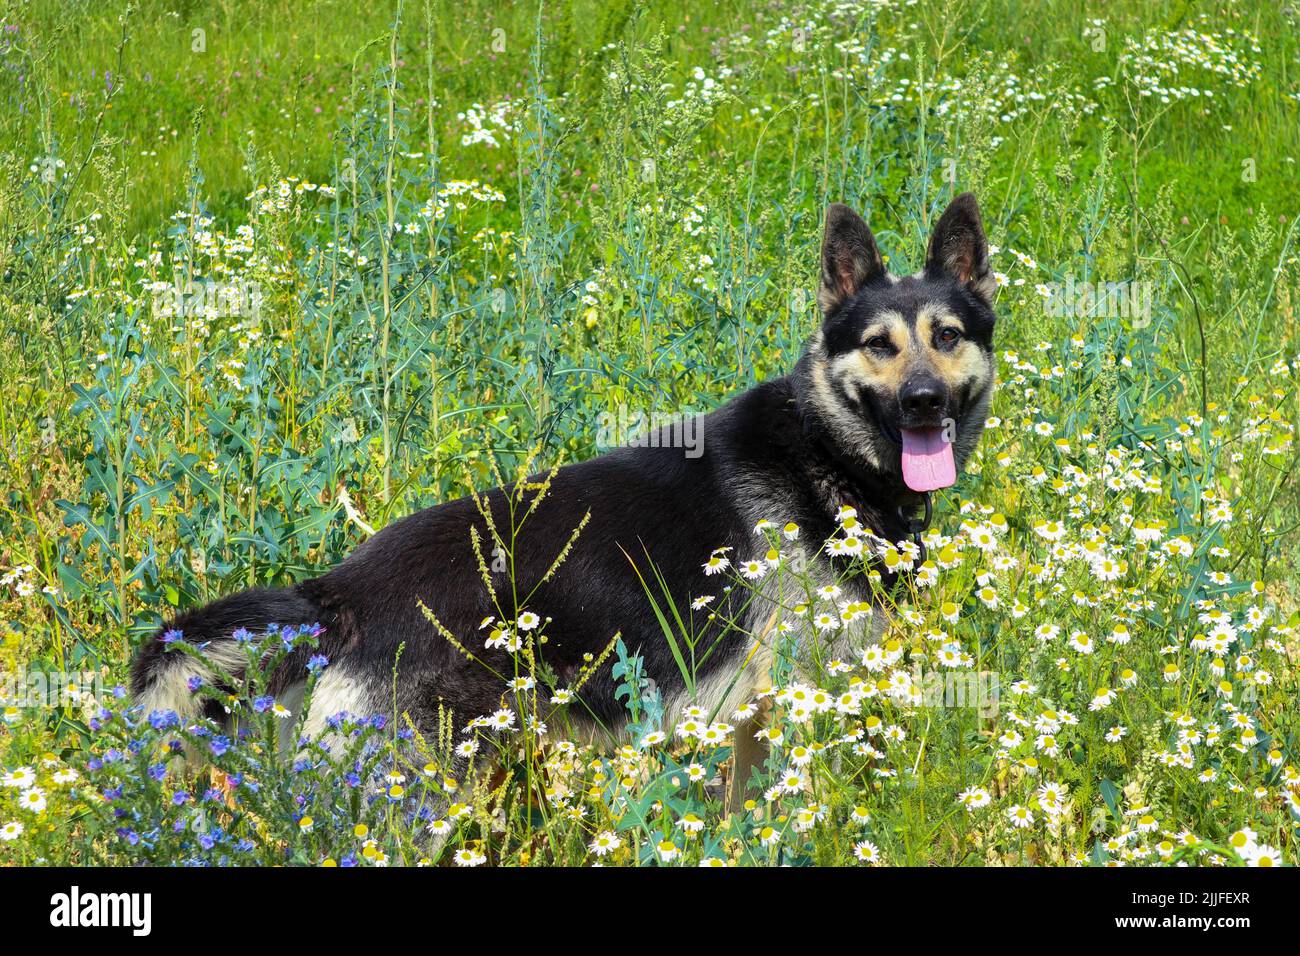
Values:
[(278, 274)]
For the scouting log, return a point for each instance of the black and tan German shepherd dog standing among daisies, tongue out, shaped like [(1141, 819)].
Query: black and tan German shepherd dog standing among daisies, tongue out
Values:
[(887, 401)]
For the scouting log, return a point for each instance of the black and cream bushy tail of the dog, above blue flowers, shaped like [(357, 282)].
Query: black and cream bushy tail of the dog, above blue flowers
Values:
[(162, 677)]
